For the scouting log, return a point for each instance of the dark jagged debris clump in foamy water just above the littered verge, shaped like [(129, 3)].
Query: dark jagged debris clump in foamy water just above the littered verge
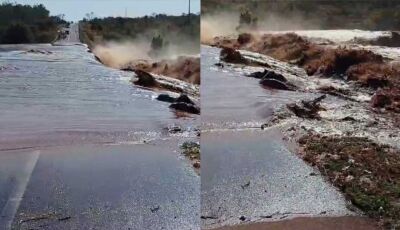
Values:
[(307, 109)]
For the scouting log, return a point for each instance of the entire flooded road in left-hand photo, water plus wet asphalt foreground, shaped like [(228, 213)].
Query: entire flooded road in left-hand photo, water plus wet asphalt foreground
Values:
[(78, 140)]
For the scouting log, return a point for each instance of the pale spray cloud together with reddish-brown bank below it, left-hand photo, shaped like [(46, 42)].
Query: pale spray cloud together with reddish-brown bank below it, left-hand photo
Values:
[(136, 55)]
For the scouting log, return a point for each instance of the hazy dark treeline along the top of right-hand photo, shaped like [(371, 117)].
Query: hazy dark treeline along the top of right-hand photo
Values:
[(328, 14)]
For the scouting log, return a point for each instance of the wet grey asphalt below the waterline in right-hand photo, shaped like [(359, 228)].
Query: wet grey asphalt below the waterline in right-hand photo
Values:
[(253, 174)]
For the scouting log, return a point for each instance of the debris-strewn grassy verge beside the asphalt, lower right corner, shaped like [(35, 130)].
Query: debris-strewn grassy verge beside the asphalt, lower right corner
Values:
[(367, 173)]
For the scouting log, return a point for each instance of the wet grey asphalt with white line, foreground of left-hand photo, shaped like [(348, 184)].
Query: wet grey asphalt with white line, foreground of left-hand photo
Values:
[(141, 186)]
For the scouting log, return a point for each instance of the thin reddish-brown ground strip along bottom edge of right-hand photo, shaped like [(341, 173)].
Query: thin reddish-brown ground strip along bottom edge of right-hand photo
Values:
[(311, 223)]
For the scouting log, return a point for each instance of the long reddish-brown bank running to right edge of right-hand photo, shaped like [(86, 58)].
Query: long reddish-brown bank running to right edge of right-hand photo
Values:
[(364, 67)]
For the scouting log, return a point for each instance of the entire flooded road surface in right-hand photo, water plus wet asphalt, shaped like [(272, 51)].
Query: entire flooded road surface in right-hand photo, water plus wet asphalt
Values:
[(249, 174)]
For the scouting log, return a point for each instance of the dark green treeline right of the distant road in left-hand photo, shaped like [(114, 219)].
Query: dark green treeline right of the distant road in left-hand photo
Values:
[(171, 29)]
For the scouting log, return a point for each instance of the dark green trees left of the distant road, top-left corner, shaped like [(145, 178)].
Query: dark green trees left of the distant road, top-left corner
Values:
[(27, 24)]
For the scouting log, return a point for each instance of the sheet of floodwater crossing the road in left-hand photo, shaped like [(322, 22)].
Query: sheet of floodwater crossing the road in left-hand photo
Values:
[(61, 94)]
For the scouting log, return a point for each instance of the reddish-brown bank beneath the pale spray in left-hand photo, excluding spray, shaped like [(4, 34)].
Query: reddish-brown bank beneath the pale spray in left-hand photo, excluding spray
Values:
[(183, 68)]
